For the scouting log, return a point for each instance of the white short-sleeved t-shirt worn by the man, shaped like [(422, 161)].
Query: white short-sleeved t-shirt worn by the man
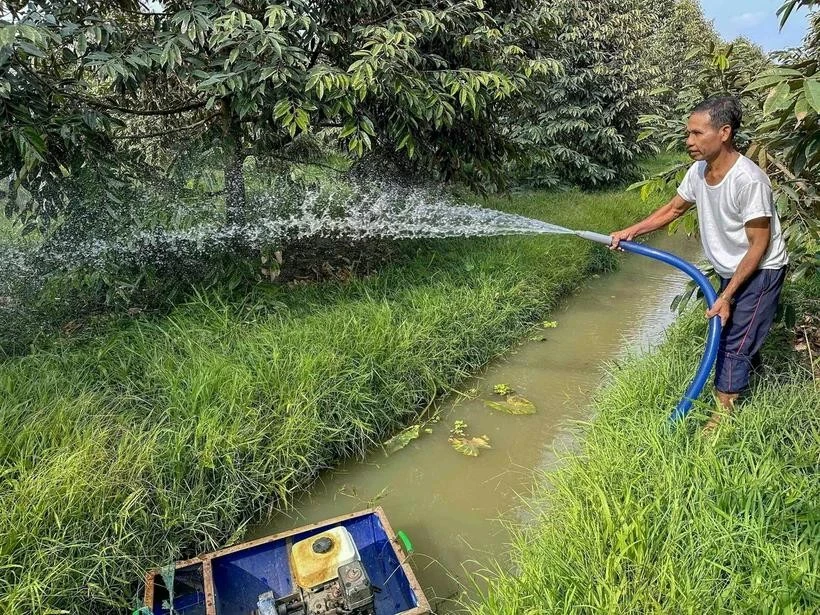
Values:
[(745, 193)]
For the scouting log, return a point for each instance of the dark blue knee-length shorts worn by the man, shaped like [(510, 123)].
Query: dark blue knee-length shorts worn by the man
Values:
[(749, 323)]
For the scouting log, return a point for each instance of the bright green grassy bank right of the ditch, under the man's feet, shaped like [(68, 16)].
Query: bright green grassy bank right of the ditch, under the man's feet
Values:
[(640, 520)]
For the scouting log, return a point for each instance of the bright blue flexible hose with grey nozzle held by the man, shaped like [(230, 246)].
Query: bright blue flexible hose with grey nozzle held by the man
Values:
[(713, 334)]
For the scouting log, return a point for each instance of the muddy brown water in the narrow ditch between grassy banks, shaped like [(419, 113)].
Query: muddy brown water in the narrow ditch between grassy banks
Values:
[(450, 505)]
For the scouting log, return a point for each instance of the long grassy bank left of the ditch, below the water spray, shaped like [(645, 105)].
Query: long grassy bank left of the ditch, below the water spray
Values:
[(156, 438)]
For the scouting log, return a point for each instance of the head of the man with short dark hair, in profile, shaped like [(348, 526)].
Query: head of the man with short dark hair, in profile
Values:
[(712, 127)]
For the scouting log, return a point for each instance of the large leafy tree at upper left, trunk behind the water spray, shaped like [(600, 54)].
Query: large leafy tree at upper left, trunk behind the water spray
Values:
[(78, 79)]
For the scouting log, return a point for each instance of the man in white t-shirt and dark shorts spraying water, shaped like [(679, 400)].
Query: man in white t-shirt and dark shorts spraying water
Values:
[(741, 237)]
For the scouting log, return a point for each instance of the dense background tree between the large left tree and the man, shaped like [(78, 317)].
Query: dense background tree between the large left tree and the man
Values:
[(581, 127)]
